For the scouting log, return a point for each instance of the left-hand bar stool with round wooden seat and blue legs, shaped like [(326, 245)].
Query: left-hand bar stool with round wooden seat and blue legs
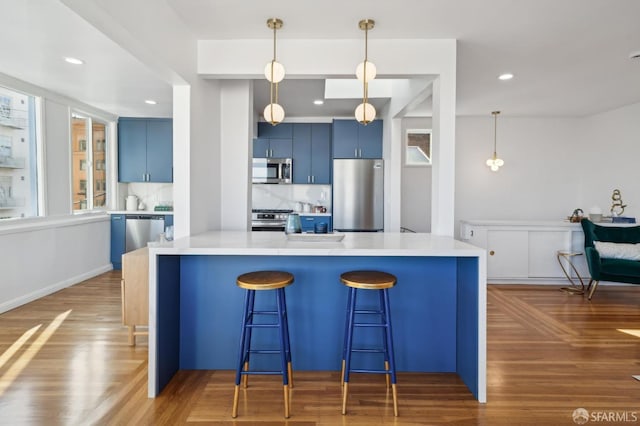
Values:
[(252, 282)]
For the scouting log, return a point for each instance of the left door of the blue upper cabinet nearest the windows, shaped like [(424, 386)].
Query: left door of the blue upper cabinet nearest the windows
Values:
[(132, 150)]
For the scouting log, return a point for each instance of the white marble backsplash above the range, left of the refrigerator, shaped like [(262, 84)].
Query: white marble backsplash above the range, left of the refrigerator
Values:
[(286, 196)]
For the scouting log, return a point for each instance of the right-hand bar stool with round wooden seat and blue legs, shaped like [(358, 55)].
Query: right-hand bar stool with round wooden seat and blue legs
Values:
[(382, 282)]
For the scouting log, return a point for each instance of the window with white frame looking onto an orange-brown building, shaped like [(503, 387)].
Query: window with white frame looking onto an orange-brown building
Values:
[(89, 177)]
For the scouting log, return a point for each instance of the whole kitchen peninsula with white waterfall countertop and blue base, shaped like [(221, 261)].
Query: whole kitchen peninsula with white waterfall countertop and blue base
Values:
[(438, 305)]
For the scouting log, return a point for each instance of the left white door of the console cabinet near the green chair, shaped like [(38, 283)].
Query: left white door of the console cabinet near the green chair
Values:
[(510, 258)]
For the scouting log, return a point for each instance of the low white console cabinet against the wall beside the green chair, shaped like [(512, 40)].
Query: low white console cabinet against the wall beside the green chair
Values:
[(526, 251)]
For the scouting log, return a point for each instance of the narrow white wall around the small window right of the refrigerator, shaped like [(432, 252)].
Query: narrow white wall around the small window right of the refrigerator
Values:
[(416, 185)]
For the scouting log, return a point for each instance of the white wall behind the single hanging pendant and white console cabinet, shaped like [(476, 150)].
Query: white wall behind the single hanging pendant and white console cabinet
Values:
[(552, 165)]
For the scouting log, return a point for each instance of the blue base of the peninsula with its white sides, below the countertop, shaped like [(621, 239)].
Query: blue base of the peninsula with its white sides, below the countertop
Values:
[(435, 313)]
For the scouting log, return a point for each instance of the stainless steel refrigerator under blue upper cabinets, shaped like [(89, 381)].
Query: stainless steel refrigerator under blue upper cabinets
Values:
[(358, 195)]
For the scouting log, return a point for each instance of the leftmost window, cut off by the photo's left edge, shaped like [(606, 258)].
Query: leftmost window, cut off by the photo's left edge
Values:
[(19, 154)]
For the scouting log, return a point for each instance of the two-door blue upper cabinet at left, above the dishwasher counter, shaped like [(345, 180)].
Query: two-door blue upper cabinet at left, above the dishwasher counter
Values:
[(145, 150)]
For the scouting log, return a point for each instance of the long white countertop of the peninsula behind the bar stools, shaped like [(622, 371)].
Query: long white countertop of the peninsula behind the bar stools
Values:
[(353, 244)]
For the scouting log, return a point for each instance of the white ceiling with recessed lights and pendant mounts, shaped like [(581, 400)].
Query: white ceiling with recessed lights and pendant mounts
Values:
[(569, 57)]
